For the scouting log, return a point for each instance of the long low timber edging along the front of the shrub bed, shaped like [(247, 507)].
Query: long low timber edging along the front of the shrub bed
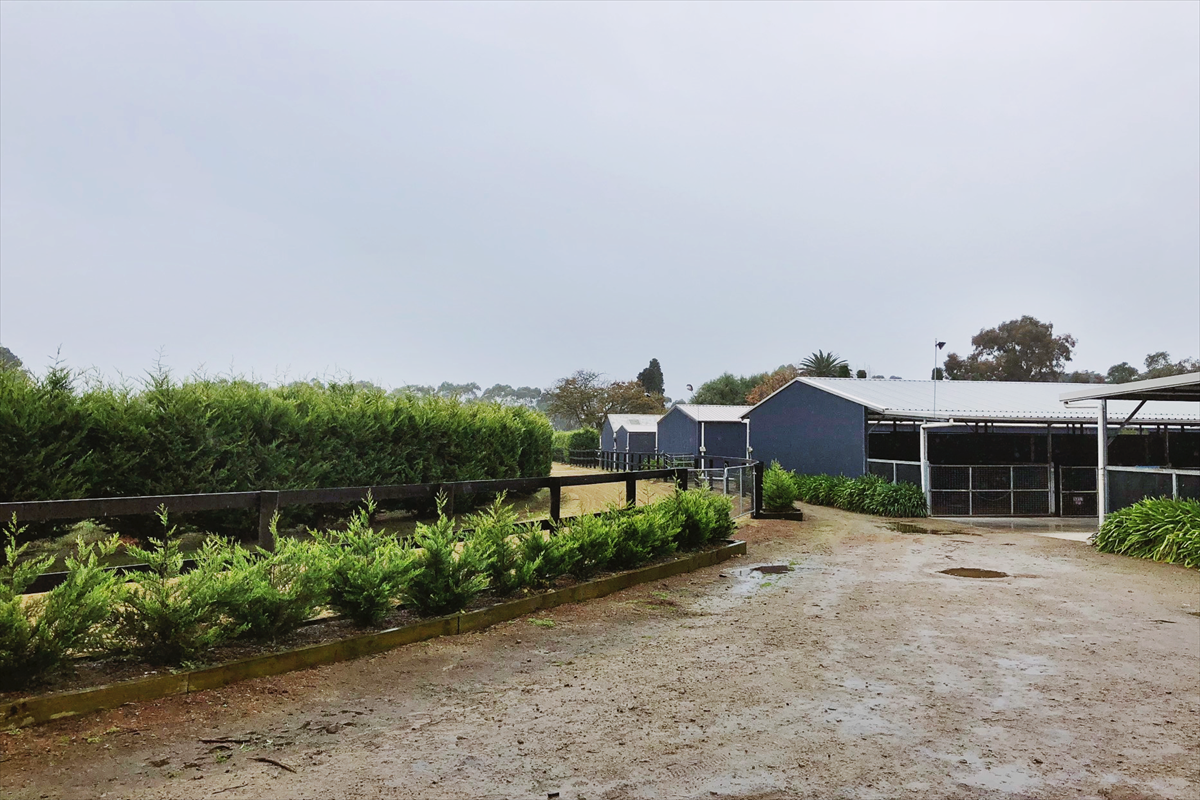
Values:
[(46, 708)]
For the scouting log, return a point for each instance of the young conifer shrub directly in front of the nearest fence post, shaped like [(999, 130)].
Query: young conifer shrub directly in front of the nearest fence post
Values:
[(269, 594)]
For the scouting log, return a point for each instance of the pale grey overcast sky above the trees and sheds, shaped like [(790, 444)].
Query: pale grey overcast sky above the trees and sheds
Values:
[(511, 193)]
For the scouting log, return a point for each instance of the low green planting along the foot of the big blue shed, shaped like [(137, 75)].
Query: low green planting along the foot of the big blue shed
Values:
[(865, 495)]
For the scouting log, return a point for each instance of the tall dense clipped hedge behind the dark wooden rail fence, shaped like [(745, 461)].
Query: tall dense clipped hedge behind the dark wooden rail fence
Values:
[(232, 436)]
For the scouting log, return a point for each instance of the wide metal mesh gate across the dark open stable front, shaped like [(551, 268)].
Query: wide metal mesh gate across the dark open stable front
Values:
[(1010, 491)]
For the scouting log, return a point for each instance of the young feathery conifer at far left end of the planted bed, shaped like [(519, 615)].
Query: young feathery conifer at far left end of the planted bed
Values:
[(39, 635)]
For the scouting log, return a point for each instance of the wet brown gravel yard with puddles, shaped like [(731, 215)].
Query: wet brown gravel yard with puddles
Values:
[(865, 672)]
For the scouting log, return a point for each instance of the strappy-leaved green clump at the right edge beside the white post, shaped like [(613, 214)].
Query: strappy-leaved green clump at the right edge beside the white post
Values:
[(1155, 528)]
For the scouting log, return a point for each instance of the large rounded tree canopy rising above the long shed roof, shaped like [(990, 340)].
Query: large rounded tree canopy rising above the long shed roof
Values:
[(1021, 350)]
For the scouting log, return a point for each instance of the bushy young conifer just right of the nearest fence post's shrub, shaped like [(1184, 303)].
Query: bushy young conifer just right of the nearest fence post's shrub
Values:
[(365, 570)]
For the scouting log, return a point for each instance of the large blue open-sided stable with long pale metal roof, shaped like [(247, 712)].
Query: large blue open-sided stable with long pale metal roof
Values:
[(982, 448)]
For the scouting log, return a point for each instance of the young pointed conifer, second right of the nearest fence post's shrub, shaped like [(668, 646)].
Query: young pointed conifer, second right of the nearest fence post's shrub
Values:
[(446, 579)]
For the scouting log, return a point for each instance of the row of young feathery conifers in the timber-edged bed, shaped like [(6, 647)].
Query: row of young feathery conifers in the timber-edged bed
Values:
[(167, 617)]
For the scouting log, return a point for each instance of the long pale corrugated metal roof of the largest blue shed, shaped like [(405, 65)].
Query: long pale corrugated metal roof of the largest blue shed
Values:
[(986, 401)]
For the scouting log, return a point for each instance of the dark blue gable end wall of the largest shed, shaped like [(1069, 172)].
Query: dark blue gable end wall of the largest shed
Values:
[(811, 431)]
